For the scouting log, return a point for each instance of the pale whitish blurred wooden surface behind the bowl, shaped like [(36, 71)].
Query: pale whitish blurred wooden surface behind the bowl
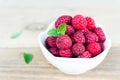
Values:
[(16, 14)]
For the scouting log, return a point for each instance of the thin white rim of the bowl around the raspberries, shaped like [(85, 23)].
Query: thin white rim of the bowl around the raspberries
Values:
[(63, 58)]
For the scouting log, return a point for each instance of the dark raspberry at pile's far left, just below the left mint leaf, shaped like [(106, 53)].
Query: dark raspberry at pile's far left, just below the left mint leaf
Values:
[(51, 41)]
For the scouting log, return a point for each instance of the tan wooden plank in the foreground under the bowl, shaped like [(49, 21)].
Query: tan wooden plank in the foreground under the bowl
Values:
[(12, 67)]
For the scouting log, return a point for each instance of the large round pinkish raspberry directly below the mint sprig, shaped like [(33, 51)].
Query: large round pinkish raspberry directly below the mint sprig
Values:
[(63, 42)]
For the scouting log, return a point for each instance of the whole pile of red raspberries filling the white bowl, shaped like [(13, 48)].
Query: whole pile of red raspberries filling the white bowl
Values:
[(82, 39)]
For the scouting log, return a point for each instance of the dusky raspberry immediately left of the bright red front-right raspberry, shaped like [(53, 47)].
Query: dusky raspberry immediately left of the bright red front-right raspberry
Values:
[(78, 49)]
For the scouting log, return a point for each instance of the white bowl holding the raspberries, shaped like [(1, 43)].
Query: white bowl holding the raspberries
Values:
[(73, 65)]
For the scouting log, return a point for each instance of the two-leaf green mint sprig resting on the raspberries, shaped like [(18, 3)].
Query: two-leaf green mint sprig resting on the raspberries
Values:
[(59, 31)]
